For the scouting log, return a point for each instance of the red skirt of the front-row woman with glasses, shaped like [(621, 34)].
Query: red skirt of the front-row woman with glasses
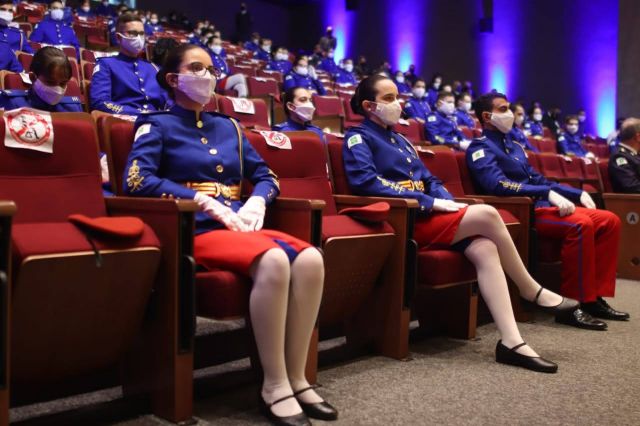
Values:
[(236, 251)]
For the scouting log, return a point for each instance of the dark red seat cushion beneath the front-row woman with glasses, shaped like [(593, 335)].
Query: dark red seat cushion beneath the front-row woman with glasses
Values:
[(222, 294)]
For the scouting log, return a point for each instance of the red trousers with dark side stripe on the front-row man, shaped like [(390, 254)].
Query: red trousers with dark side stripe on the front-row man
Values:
[(590, 240)]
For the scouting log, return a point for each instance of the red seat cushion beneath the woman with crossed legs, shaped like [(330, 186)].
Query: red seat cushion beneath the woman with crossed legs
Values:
[(438, 267)]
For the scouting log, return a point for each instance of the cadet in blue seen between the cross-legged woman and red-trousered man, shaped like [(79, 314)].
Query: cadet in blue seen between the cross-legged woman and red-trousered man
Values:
[(441, 127)]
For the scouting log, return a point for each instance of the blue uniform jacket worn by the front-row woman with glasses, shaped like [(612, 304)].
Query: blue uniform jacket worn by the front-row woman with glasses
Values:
[(176, 155)]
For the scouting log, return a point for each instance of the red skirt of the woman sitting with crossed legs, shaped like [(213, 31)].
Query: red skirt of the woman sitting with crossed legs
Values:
[(437, 230)]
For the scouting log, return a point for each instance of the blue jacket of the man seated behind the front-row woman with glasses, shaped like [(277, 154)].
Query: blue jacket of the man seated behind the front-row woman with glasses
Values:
[(125, 85)]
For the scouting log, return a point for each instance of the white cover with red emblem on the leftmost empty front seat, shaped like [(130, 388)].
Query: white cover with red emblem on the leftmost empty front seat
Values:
[(28, 128)]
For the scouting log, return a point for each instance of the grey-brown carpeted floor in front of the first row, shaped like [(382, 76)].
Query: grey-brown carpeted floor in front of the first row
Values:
[(458, 382)]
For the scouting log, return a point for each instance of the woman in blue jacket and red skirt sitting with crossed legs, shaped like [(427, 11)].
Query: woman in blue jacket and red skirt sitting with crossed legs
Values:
[(380, 162)]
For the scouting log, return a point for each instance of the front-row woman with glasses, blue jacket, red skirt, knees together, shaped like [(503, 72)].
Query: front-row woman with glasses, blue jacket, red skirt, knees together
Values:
[(190, 154)]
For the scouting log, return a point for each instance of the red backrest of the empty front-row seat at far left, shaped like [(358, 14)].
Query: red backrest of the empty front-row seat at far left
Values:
[(48, 187)]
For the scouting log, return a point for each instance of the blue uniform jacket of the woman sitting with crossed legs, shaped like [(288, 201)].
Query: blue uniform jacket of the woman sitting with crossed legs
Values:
[(381, 162)]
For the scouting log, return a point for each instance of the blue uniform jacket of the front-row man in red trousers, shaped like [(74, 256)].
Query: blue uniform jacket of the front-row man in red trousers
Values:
[(499, 166)]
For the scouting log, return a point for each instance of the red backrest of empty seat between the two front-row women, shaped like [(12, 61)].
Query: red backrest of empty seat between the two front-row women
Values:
[(302, 170)]
